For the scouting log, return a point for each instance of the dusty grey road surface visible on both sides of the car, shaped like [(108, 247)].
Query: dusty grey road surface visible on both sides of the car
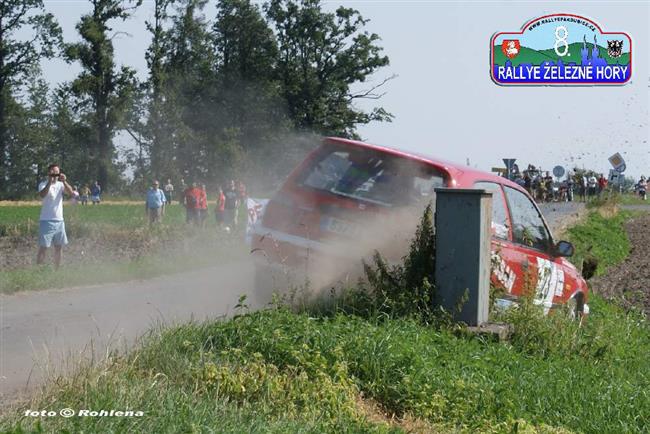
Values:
[(41, 330)]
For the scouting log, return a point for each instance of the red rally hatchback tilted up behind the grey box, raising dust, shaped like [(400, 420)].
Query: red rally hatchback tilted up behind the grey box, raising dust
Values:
[(325, 207)]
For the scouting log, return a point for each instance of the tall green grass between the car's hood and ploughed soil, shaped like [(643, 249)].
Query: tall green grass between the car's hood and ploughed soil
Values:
[(603, 238)]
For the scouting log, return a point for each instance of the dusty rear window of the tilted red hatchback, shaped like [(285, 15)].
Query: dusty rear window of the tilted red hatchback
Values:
[(370, 176)]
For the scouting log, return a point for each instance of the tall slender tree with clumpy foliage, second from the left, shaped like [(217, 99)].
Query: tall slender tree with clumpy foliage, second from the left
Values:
[(104, 91)]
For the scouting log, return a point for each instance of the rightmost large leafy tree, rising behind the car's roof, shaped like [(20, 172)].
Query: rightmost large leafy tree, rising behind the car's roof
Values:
[(322, 57)]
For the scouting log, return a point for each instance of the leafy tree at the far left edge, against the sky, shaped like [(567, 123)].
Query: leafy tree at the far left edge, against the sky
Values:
[(18, 57)]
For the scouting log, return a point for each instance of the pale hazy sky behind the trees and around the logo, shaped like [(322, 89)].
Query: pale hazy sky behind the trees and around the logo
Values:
[(443, 99)]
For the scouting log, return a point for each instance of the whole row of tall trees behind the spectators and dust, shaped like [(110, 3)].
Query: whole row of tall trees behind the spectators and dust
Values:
[(243, 94)]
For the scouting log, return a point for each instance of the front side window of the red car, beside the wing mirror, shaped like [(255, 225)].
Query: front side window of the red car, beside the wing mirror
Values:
[(528, 228)]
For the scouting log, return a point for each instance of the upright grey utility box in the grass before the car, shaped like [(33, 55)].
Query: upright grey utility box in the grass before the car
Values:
[(463, 233)]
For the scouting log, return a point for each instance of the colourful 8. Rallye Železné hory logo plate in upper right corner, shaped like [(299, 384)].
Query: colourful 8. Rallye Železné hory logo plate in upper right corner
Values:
[(561, 49)]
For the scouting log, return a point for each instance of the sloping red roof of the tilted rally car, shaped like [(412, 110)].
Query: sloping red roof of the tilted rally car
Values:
[(458, 172)]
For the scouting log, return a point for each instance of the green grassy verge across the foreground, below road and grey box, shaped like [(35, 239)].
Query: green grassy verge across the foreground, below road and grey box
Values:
[(277, 370)]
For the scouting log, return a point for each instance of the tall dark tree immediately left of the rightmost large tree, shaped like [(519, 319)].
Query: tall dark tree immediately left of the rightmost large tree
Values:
[(247, 90)]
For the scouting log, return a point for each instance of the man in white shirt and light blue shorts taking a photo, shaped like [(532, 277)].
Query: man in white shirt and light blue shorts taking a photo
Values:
[(51, 224)]
